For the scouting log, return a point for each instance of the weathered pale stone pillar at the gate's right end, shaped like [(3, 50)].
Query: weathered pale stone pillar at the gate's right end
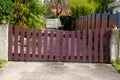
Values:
[(115, 45)]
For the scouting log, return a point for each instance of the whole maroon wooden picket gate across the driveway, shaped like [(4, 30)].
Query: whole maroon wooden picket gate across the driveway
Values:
[(50, 45)]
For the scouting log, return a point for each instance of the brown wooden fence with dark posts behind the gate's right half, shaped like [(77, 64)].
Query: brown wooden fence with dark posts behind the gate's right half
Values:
[(97, 21)]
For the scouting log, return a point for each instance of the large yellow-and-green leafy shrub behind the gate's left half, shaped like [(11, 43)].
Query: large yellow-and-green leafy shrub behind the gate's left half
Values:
[(29, 13)]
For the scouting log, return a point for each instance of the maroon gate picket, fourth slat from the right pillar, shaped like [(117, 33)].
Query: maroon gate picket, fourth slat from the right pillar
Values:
[(90, 45)]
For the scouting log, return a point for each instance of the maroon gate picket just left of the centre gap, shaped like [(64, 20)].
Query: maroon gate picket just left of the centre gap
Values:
[(57, 46)]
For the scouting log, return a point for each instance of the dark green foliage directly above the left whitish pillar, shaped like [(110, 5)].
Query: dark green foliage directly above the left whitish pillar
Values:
[(6, 10)]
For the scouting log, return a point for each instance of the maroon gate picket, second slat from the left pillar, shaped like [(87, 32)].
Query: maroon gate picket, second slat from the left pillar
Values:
[(16, 43)]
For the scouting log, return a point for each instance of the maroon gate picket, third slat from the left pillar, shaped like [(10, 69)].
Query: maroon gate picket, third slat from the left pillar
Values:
[(22, 44)]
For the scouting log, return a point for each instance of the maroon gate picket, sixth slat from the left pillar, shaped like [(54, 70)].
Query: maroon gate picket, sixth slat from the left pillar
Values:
[(39, 44)]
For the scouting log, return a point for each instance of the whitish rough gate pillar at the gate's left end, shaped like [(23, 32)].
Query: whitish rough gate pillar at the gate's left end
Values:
[(4, 42)]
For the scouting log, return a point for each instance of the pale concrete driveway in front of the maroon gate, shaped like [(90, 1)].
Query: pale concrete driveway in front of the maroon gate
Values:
[(57, 71)]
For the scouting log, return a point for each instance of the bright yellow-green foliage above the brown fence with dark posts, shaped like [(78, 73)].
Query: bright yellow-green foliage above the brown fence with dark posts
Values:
[(83, 7)]
